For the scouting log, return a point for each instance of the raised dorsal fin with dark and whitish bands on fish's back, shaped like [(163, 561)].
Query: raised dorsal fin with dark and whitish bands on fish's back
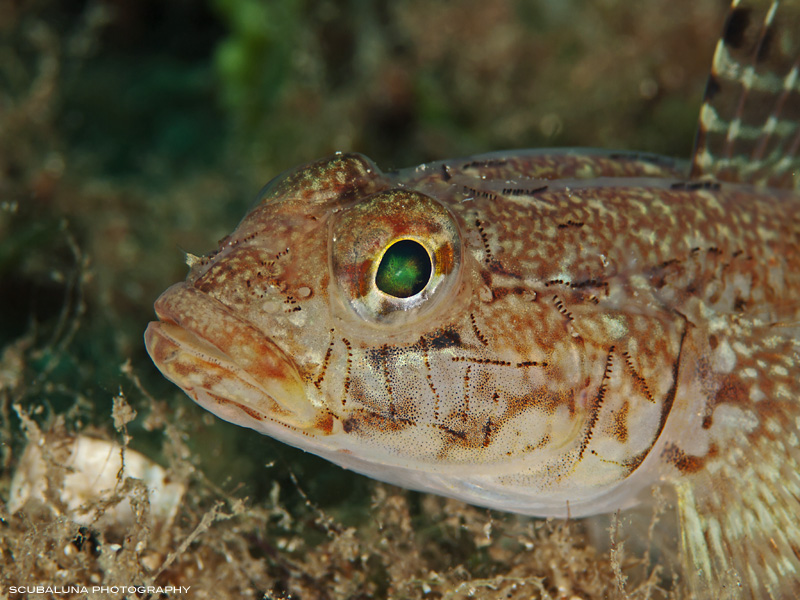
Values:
[(749, 127)]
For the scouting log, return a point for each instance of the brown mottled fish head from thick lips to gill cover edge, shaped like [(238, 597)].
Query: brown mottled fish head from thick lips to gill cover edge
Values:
[(366, 321)]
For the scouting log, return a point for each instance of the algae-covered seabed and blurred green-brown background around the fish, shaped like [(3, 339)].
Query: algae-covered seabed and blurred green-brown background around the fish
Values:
[(131, 131)]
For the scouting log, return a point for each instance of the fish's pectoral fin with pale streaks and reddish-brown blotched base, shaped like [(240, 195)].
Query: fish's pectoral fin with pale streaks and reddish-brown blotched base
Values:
[(740, 512)]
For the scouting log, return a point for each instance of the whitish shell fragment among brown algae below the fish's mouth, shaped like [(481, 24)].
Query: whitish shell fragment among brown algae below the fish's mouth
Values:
[(90, 478)]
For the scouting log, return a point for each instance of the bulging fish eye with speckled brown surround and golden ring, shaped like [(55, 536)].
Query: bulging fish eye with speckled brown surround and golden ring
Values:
[(395, 255)]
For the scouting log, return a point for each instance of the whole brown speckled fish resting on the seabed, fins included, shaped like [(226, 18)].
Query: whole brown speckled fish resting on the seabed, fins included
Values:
[(587, 325)]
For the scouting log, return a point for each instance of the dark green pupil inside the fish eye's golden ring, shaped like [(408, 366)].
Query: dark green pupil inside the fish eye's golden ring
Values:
[(404, 270)]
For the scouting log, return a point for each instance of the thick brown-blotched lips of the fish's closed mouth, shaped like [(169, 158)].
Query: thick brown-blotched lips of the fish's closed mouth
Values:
[(225, 364)]
